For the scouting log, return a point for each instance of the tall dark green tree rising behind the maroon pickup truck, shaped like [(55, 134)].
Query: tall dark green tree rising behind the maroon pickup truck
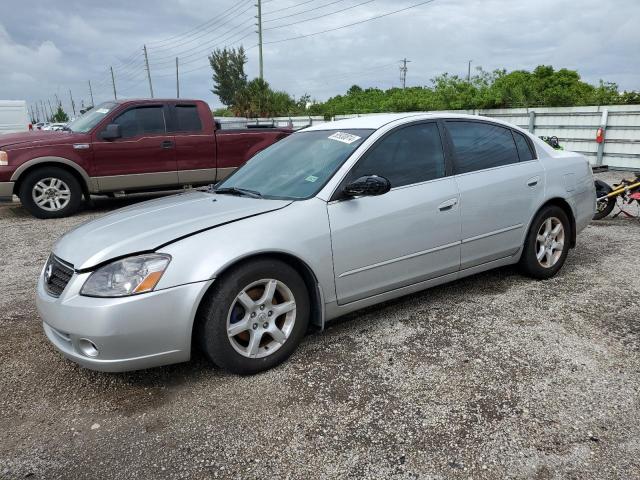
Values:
[(228, 73)]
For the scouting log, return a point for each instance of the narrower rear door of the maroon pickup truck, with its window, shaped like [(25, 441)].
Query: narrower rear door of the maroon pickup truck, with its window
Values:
[(194, 149)]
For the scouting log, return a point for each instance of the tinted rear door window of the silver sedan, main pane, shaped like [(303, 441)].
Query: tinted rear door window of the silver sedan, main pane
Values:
[(478, 146)]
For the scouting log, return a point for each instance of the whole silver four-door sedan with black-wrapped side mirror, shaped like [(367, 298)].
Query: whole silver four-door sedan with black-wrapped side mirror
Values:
[(334, 218)]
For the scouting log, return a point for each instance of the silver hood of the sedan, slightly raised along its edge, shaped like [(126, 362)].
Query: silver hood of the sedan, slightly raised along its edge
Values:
[(149, 225)]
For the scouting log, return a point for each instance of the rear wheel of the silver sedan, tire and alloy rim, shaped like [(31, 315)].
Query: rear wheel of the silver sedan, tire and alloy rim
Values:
[(547, 243)]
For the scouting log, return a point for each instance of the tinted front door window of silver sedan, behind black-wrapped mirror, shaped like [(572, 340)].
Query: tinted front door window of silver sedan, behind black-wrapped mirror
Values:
[(408, 155)]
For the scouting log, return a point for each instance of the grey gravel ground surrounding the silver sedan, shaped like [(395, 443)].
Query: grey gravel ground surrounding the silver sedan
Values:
[(493, 376)]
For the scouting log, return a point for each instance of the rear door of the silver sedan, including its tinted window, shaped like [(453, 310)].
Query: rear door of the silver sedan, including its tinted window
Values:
[(499, 191)]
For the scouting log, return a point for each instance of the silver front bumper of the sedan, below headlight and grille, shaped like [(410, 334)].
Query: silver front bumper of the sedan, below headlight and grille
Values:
[(129, 333)]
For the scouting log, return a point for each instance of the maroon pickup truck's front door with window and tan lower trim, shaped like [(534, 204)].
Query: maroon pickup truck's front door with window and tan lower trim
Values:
[(144, 156)]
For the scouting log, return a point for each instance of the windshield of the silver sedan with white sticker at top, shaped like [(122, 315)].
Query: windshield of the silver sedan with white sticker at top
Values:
[(296, 167)]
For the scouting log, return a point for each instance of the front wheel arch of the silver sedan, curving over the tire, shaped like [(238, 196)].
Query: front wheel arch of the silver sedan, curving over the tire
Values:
[(314, 288)]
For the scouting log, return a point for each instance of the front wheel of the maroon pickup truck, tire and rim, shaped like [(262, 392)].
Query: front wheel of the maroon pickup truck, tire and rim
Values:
[(50, 192)]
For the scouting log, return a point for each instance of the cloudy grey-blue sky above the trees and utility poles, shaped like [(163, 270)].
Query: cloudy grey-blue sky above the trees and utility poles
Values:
[(47, 48)]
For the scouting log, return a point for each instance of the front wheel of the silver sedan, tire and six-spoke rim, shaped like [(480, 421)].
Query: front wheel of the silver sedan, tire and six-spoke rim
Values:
[(255, 317)]
